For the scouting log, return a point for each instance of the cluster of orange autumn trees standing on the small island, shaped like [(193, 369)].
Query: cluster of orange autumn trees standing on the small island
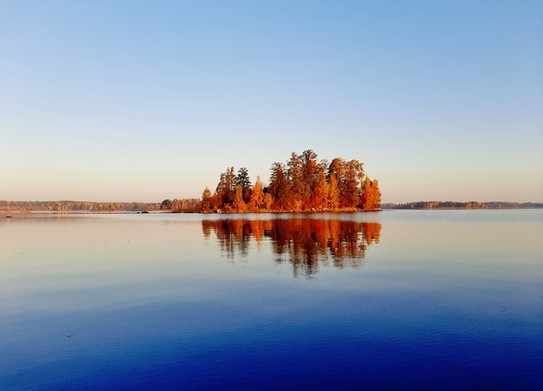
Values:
[(303, 183)]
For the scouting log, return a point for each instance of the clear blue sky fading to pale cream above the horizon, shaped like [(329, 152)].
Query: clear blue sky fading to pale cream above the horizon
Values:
[(149, 100)]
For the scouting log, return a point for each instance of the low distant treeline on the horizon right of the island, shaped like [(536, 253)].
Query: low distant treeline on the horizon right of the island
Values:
[(463, 205)]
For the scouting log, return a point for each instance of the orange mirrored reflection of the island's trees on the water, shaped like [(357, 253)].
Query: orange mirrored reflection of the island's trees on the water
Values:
[(303, 242)]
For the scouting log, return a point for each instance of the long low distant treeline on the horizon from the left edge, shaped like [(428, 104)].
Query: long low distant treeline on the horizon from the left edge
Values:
[(77, 206)]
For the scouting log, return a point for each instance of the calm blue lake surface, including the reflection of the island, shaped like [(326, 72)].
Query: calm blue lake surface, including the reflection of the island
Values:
[(448, 299)]
